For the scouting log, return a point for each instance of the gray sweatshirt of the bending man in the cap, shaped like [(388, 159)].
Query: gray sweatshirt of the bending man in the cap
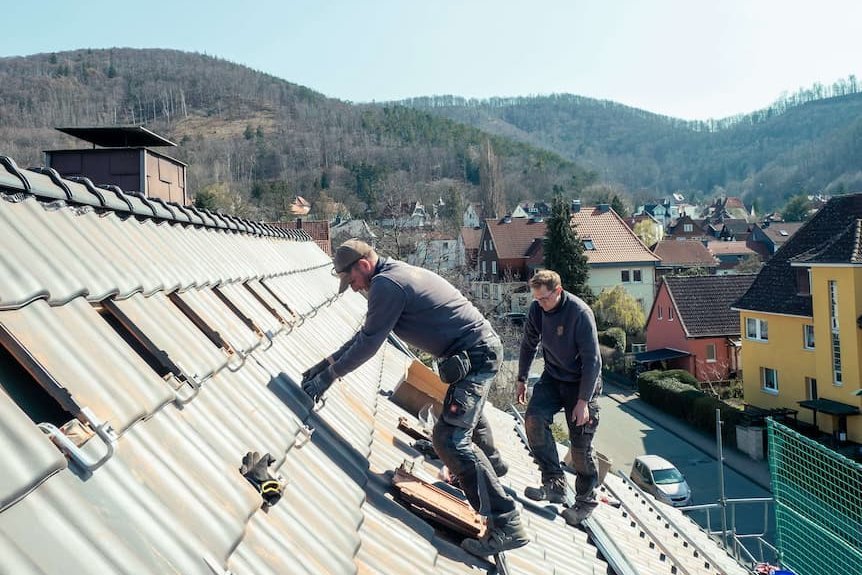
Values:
[(421, 308)]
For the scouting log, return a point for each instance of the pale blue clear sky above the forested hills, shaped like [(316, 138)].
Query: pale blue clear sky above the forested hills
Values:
[(693, 59)]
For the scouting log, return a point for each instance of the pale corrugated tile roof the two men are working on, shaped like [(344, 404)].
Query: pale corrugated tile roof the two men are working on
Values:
[(188, 382)]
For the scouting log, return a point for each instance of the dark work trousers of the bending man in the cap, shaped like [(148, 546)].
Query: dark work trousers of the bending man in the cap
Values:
[(463, 439)]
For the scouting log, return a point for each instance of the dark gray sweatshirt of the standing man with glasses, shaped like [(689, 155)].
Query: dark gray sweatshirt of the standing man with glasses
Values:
[(570, 344)]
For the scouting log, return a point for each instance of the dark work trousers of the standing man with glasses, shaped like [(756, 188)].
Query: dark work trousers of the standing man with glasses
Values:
[(549, 395)]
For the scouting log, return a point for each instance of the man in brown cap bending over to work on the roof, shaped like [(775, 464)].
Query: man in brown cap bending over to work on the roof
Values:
[(427, 312)]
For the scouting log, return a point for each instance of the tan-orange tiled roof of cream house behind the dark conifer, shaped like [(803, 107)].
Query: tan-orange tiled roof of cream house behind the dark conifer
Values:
[(613, 239)]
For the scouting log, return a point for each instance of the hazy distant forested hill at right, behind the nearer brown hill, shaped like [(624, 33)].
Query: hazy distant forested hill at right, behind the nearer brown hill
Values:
[(809, 142)]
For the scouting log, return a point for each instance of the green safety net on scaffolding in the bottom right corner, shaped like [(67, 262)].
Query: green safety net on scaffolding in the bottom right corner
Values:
[(818, 505)]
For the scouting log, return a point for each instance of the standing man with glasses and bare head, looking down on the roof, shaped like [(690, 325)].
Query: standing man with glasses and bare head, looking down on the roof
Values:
[(572, 380)]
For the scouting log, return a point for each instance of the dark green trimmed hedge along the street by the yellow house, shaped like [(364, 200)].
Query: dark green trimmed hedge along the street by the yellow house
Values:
[(665, 391)]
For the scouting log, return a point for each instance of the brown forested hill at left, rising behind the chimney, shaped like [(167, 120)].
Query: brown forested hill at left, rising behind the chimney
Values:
[(253, 141)]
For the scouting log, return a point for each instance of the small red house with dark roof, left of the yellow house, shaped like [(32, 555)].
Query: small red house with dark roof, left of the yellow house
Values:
[(691, 325)]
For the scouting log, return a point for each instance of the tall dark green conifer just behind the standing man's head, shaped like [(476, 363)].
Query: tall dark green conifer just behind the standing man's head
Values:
[(564, 251)]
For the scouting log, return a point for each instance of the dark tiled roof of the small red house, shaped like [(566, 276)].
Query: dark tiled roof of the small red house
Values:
[(704, 303)]
